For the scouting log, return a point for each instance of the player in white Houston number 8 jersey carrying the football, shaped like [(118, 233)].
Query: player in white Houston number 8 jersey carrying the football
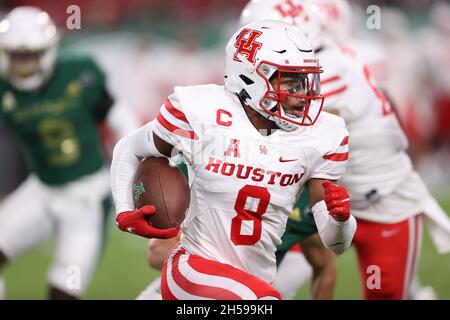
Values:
[(252, 144)]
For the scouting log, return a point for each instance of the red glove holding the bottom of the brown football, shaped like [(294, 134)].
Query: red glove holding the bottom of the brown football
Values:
[(136, 222)]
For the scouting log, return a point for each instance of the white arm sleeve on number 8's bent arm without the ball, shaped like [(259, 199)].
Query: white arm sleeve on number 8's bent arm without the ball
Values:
[(335, 235)]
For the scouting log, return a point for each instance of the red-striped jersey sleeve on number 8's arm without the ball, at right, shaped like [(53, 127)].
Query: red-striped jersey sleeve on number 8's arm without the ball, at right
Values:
[(332, 163)]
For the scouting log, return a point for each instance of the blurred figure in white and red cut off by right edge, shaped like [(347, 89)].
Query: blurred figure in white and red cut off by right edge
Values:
[(436, 38)]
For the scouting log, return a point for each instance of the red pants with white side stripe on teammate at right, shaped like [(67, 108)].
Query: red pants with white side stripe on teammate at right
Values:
[(387, 255)]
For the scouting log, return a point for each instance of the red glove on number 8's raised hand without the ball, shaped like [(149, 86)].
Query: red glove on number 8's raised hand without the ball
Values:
[(337, 200)]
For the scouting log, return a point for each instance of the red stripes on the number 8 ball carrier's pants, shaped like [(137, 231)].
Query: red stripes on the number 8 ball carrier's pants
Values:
[(210, 267)]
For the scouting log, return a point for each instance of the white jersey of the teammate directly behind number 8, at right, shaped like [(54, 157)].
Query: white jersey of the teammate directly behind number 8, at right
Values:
[(378, 162)]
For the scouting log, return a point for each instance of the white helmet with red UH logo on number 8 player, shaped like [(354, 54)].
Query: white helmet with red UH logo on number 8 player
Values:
[(262, 53)]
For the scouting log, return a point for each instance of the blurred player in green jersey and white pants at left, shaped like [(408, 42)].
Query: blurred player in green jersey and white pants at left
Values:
[(55, 104)]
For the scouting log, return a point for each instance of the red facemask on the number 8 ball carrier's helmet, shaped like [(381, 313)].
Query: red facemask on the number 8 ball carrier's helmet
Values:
[(293, 95)]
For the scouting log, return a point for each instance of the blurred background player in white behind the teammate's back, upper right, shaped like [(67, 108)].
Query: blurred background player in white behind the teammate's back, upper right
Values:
[(412, 109)]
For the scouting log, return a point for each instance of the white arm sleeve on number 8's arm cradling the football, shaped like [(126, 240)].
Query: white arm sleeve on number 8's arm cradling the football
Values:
[(127, 155)]
